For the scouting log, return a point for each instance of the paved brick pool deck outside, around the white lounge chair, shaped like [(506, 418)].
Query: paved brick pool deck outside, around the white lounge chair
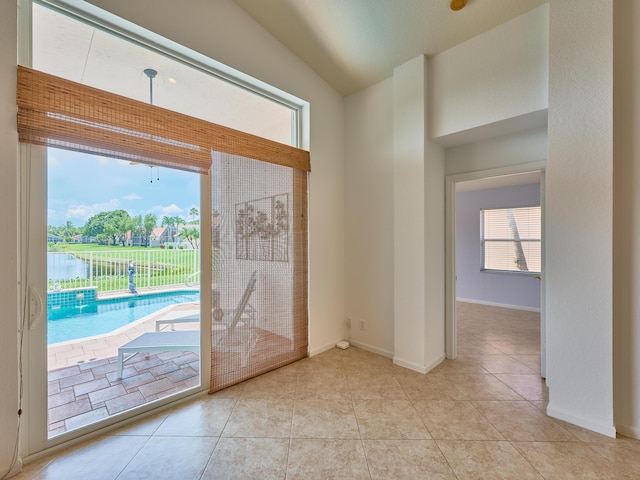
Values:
[(83, 383)]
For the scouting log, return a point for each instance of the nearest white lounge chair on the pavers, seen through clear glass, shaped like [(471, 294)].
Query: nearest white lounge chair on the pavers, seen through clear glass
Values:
[(178, 340)]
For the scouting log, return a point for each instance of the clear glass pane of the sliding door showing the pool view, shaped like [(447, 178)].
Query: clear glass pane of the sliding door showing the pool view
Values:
[(123, 287)]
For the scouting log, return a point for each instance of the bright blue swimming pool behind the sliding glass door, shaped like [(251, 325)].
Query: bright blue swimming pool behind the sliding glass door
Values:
[(104, 316)]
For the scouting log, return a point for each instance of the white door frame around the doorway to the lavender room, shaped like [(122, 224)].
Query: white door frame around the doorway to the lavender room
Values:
[(450, 252)]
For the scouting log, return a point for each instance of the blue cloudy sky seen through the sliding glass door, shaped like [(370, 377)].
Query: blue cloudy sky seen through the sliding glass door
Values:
[(81, 186)]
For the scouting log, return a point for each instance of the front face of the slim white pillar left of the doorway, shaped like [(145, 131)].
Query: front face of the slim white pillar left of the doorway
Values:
[(409, 133)]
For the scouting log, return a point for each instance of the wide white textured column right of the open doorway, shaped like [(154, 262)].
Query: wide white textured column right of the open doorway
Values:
[(579, 194)]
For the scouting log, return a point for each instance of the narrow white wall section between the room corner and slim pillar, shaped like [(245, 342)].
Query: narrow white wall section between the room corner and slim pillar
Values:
[(369, 288)]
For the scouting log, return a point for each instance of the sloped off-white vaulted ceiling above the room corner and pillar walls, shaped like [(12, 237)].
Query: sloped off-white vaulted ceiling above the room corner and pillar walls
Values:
[(354, 44)]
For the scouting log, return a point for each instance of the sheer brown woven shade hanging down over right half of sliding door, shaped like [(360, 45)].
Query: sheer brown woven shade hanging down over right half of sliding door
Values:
[(259, 269)]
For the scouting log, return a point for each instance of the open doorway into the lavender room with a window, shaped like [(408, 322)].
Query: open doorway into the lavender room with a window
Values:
[(507, 305)]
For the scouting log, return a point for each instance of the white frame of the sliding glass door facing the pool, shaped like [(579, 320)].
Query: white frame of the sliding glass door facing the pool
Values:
[(35, 441)]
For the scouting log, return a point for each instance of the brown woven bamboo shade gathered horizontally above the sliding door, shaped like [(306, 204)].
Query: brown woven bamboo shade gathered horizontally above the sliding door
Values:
[(56, 112)]
